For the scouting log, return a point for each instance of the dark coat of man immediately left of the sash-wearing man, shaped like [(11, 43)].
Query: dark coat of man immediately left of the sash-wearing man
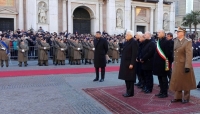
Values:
[(147, 54)]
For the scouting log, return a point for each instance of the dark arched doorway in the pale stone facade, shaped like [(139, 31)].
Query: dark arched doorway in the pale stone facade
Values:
[(81, 21)]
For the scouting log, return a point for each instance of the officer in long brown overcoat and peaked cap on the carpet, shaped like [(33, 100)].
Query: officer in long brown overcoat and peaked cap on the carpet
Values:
[(183, 79)]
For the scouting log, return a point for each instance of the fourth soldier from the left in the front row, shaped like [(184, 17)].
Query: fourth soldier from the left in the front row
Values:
[(61, 52)]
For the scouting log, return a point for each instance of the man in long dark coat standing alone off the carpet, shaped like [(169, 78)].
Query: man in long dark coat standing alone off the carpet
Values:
[(101, 49)]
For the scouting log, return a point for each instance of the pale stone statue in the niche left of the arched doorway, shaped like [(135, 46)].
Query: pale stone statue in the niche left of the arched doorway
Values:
[(42, 12)]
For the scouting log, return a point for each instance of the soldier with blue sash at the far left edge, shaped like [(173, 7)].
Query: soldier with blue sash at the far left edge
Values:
[(4, 50)]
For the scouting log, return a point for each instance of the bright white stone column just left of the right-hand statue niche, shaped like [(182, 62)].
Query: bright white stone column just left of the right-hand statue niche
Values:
[(111, 17)]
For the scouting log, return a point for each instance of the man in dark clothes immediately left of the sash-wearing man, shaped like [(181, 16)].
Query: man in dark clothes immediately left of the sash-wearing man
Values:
[(147, 56)]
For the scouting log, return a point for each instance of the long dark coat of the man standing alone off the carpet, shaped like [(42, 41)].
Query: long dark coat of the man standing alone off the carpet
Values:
[(101, 49)]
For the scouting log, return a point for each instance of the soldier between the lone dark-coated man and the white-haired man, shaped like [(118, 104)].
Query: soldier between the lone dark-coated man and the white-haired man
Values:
[(115, 52)]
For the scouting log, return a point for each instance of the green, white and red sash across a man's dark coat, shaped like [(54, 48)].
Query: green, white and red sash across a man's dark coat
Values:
[(162, 55)]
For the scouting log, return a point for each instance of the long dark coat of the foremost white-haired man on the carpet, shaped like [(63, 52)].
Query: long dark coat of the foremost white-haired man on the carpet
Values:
[(129, 55)]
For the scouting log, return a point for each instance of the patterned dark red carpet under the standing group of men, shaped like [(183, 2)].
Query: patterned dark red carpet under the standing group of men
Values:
[(111, 97)]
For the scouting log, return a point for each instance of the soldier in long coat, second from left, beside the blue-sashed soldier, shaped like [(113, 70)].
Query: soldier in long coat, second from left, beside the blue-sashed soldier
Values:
[(22, 53)]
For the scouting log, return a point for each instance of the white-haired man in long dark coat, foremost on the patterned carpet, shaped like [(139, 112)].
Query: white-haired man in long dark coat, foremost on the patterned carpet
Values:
[(127, 70)]
